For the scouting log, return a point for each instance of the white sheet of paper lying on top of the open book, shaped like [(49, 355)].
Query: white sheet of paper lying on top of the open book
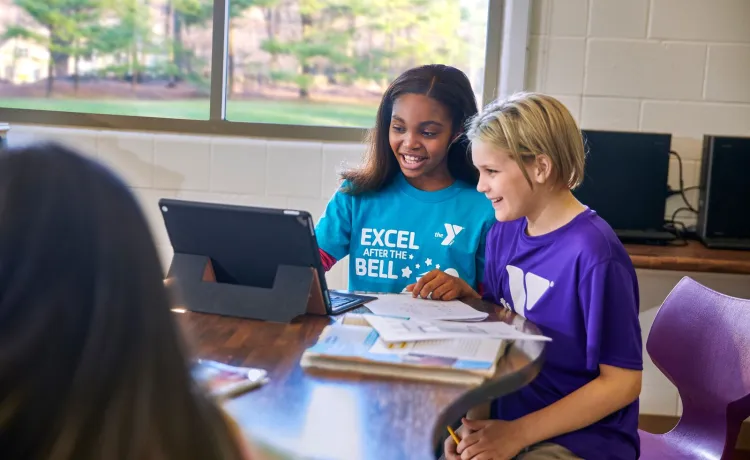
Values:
[(414, 329)]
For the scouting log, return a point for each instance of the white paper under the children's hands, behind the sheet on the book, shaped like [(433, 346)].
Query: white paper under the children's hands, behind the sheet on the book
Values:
[(406, 306)]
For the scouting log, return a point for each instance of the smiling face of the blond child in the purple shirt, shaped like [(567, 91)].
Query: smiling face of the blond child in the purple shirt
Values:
[(503, 182)]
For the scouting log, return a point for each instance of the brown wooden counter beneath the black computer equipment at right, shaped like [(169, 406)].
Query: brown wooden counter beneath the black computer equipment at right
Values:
[(694, 257)]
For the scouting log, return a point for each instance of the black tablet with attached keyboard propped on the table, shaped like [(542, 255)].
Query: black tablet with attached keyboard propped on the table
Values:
[(246, 245)]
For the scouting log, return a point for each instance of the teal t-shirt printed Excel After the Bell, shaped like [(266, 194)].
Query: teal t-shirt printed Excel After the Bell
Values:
[(396, 235)]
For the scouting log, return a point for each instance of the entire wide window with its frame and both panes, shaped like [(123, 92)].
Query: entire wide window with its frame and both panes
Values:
[(320, 65)]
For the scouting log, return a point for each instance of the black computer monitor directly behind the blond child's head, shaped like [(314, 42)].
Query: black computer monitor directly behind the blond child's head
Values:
[(625, 182)]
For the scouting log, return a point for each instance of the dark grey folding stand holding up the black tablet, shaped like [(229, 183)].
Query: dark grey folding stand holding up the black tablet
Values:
[(296, 291)]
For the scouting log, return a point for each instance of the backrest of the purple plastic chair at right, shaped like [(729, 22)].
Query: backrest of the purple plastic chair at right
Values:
[(700, 340)]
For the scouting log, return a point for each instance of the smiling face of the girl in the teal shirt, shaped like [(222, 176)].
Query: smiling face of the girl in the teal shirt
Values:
[(419, 135)]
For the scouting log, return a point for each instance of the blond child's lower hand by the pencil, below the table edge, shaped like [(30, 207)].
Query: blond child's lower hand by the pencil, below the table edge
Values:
[(490, 440)]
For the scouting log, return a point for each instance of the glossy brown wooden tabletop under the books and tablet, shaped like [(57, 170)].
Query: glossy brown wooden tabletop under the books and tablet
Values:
[(317, 414)]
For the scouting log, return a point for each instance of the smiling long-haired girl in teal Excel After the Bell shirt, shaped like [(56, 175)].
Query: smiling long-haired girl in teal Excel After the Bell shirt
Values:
[(409, 217)]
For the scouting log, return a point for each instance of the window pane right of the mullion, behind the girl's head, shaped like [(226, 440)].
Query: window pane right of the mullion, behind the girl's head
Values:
[(327, 62)]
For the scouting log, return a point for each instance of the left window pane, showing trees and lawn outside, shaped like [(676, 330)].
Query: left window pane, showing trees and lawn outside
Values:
[(124, 57)]
